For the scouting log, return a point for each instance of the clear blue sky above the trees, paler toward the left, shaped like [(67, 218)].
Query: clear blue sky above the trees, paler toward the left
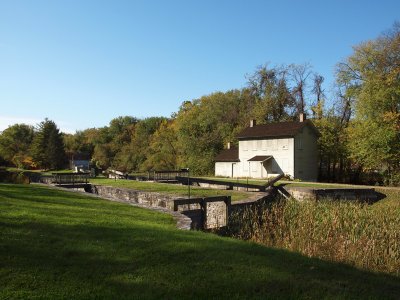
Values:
[(82, 63)]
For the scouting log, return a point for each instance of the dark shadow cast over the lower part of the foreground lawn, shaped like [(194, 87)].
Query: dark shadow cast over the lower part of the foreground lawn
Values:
[(153, 262)]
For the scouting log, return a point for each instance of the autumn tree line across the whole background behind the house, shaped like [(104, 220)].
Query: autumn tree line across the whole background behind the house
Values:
[(359, 125)]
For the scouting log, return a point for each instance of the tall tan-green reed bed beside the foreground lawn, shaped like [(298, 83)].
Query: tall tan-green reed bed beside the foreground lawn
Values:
[(354, 233)]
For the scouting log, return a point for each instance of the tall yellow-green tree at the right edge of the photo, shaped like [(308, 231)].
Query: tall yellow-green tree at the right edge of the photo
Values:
[(371, 76)]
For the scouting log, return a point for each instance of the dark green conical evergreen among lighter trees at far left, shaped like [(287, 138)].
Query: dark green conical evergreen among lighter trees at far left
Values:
[(48, 146)]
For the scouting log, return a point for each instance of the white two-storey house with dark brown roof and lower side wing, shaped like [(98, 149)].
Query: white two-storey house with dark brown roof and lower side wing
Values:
[(268, 150)]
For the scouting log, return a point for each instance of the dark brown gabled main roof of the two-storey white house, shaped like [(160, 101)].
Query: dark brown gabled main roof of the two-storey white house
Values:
[(282, 129)]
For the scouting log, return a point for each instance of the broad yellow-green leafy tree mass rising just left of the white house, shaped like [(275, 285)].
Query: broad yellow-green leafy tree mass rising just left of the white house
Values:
[(205, 125)]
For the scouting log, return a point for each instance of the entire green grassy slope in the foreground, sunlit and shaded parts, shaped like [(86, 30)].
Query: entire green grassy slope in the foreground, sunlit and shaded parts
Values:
[(55, 244)]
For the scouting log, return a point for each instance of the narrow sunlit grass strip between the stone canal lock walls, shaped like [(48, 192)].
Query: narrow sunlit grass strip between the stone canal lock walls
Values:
[(174, 189)]
